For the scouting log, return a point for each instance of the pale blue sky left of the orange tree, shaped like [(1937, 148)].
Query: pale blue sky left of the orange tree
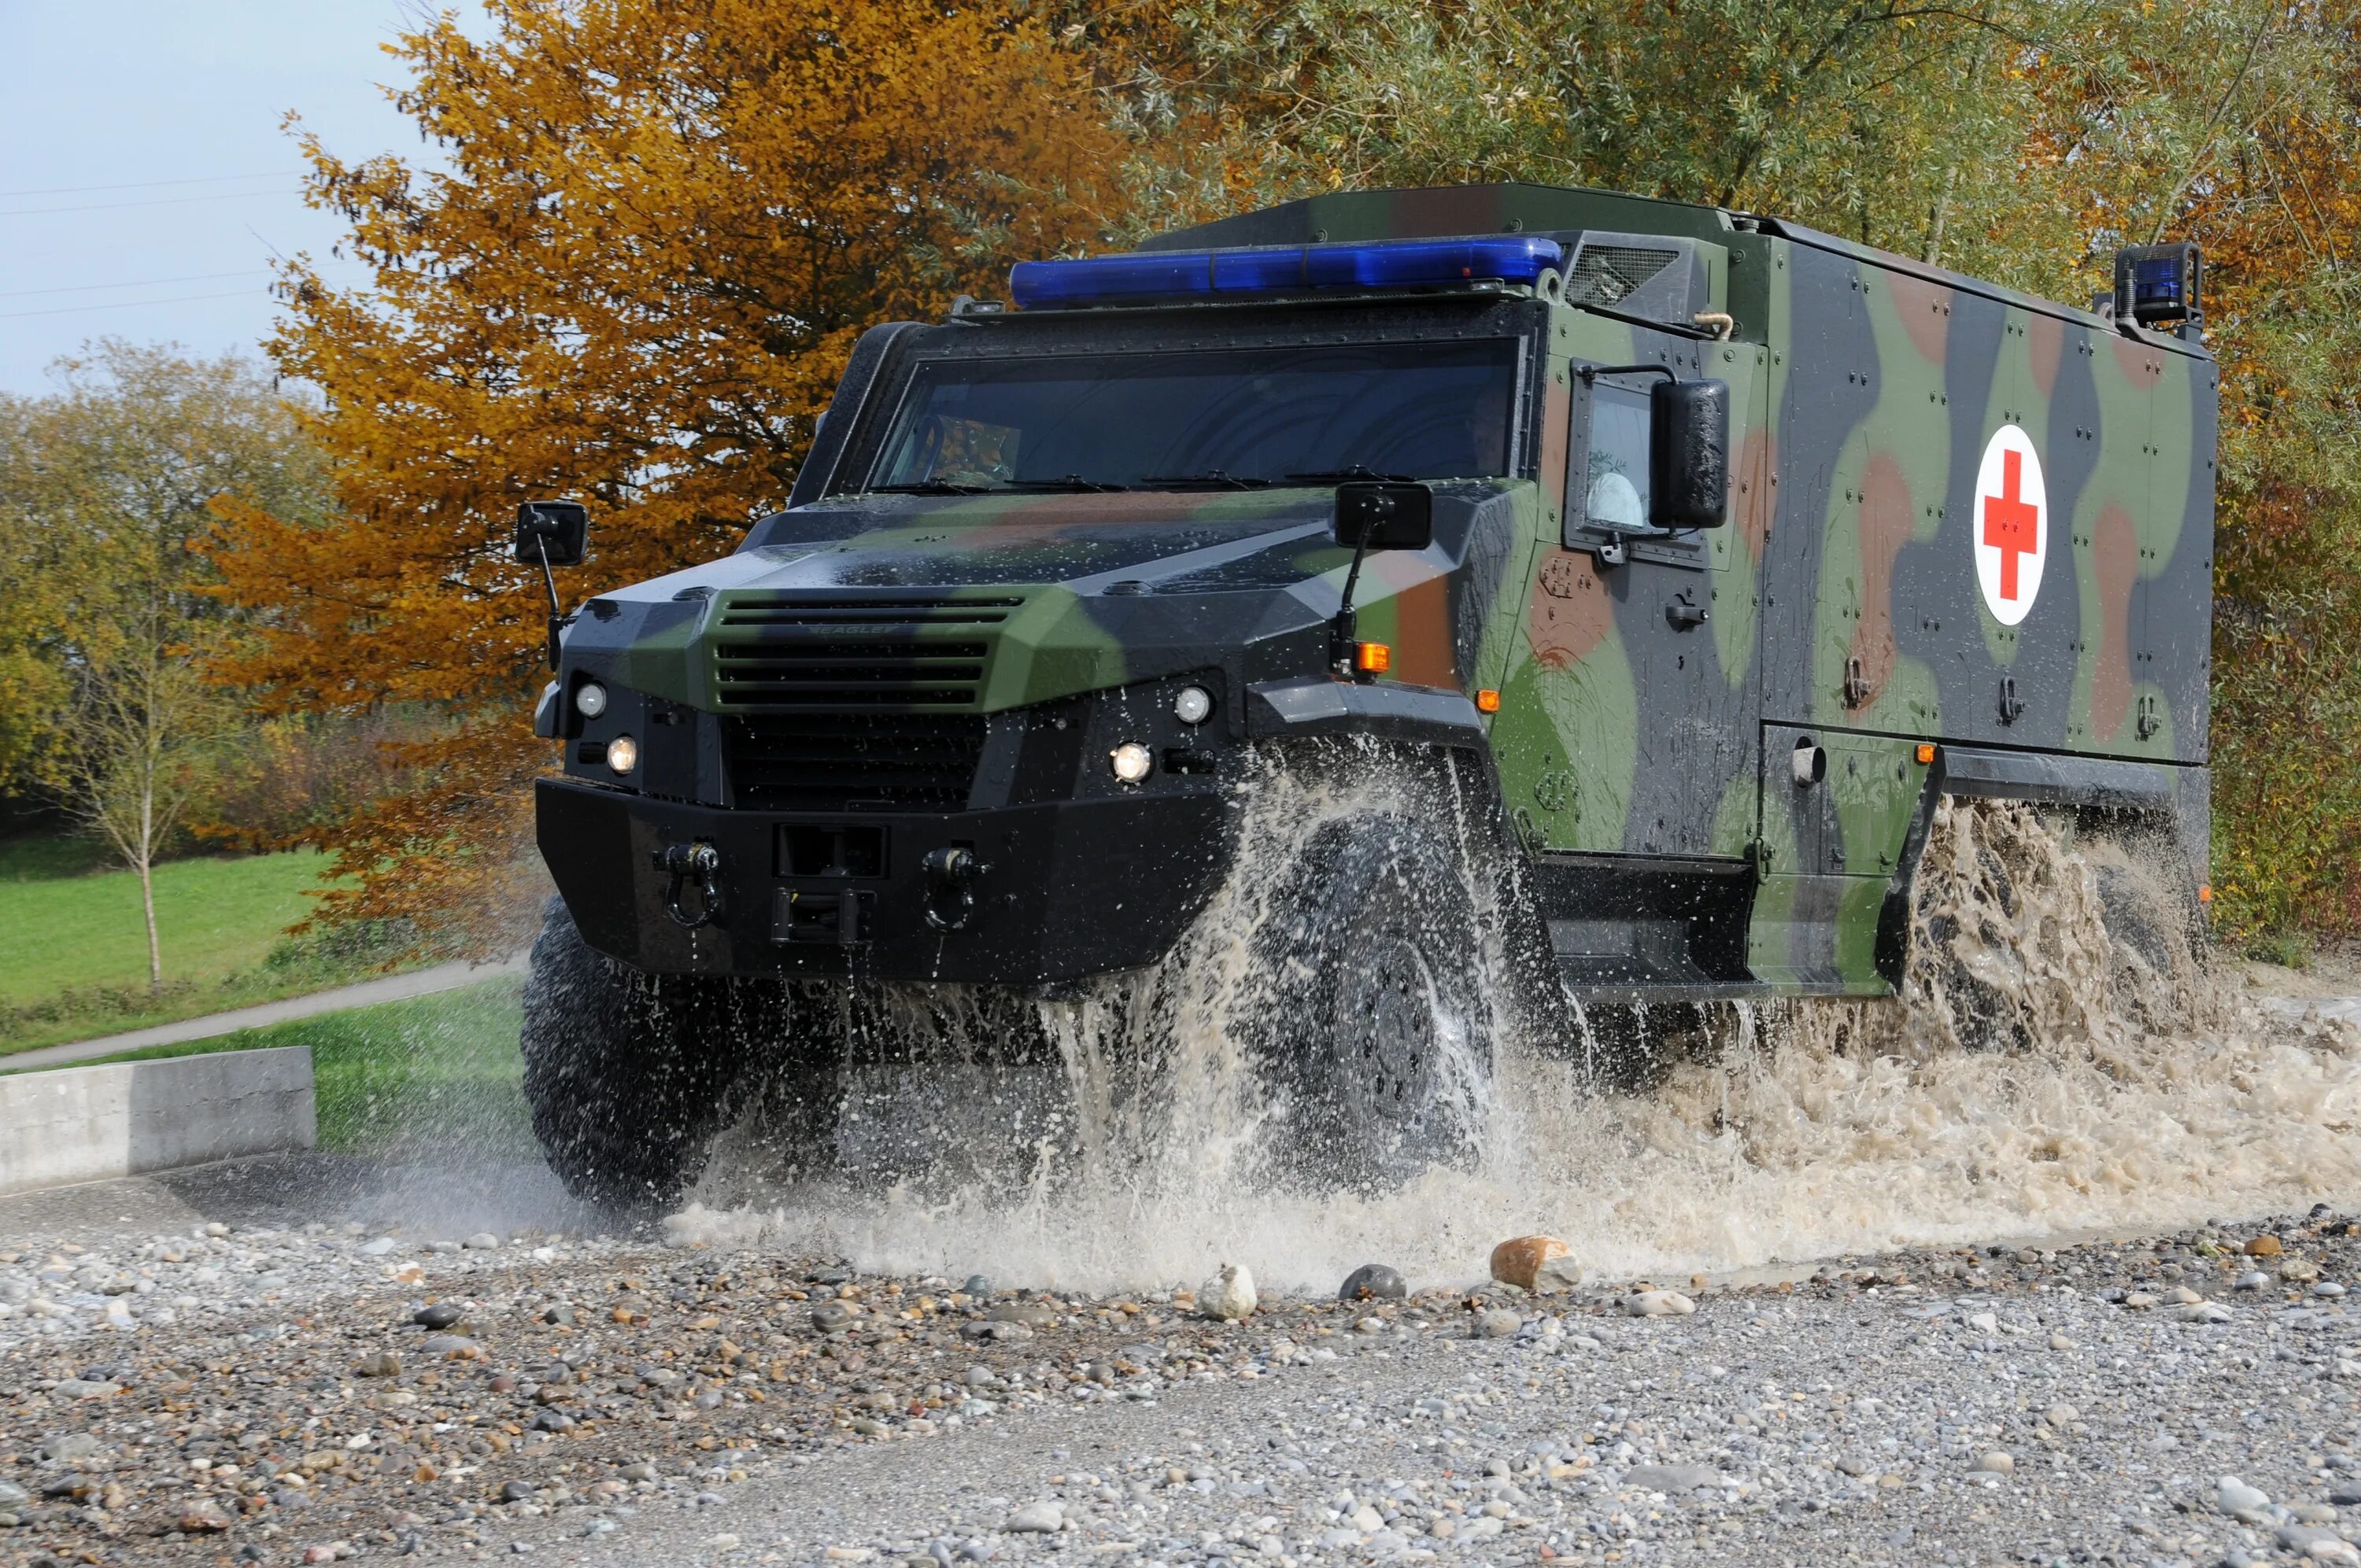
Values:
[(145, 171)]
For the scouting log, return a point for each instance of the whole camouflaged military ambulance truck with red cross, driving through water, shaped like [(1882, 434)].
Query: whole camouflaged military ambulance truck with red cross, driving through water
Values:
[(1699, 551)]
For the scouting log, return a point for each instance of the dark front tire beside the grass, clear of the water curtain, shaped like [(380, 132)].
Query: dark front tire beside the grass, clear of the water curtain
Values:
[(629, 1076)]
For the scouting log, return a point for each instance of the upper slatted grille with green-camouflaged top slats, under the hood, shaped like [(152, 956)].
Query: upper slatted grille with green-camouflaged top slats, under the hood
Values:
[(854, 651)]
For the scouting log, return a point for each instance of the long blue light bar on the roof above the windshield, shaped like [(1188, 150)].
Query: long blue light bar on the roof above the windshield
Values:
[(1196, 275)]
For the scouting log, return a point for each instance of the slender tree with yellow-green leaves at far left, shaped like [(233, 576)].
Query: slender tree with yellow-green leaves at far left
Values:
[(105, 488)]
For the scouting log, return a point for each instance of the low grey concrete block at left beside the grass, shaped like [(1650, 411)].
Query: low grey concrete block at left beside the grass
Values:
[(126, 1118)]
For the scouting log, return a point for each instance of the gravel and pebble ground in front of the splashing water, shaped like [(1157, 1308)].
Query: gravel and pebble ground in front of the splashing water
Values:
[(242, 1390)]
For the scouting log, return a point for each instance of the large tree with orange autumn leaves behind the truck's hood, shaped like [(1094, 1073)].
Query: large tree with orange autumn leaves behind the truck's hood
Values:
[(632, 280)]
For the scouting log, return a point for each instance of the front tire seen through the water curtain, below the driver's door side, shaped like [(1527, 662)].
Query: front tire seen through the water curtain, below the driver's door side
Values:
[(1380, 960)]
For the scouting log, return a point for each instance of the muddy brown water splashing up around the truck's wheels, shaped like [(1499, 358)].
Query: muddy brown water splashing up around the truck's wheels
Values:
[(2058, 1061)]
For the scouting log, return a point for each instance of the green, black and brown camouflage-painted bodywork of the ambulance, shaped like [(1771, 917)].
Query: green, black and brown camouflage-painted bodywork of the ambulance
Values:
[(1652, 707)]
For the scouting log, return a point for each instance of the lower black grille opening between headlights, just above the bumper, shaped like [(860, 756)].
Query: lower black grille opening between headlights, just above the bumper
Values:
[(854, 762)]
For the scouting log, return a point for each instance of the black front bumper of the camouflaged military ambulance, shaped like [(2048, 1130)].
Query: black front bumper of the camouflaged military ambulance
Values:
[(1066, 889)]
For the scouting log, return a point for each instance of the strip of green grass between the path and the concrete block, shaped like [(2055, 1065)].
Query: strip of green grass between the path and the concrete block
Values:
[(407, 1078)]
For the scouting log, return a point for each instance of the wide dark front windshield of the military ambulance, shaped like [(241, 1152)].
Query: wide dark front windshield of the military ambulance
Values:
[(1205, 417)]
